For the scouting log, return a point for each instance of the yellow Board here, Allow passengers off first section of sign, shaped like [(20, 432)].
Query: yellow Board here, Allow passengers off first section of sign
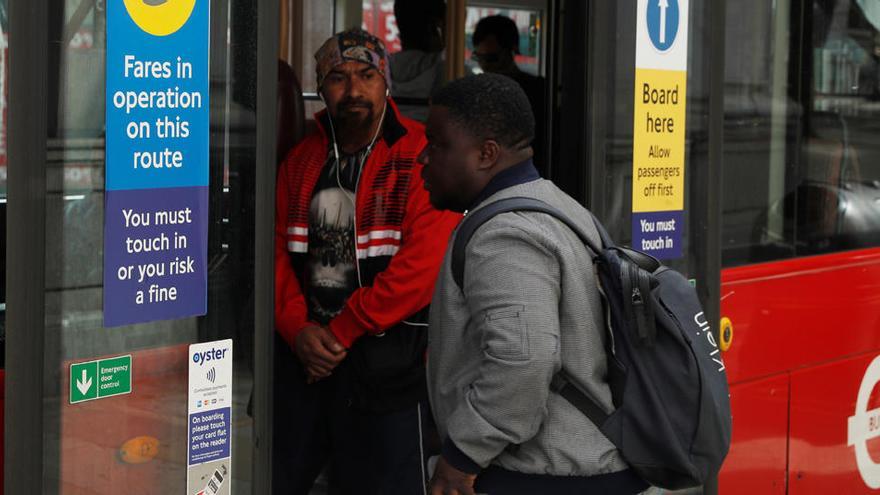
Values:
[(658, 140)]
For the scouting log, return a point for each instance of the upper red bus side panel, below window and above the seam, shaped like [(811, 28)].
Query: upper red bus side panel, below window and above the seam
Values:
[(801, 312)]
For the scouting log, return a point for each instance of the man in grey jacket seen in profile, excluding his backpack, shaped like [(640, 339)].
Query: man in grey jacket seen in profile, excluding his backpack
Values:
[(529, 305)]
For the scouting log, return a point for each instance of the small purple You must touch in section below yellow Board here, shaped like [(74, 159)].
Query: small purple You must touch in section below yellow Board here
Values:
[(658, 233)]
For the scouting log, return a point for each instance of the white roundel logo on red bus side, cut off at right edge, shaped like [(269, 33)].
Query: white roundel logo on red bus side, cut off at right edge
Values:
[(865, 425)]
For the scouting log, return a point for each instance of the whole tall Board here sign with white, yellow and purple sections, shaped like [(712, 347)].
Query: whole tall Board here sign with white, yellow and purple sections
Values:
[(660, 96)]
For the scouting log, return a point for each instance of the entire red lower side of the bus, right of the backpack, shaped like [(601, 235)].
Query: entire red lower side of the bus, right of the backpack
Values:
[(805, 332)]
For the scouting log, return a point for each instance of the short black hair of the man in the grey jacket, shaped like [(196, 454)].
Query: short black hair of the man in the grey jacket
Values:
[(489, 106)]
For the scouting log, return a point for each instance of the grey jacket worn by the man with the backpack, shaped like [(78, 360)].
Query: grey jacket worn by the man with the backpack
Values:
[(530, 305)]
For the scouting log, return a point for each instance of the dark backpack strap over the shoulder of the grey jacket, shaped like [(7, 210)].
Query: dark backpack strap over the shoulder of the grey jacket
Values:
[(474, 220)]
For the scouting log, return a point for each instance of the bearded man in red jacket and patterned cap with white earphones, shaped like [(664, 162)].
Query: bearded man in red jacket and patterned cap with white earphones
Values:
[(358, 248)]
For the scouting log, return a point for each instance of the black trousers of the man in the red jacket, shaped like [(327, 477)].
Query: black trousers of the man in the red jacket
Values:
[(365, 453)]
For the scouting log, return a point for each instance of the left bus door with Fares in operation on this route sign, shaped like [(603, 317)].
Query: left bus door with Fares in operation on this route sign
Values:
[(141, 164)]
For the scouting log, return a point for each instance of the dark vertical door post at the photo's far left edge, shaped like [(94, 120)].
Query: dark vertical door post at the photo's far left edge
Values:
[(26, 245)]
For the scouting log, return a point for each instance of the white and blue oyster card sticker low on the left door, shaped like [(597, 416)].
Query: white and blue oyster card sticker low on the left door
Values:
[(209, 417)]
